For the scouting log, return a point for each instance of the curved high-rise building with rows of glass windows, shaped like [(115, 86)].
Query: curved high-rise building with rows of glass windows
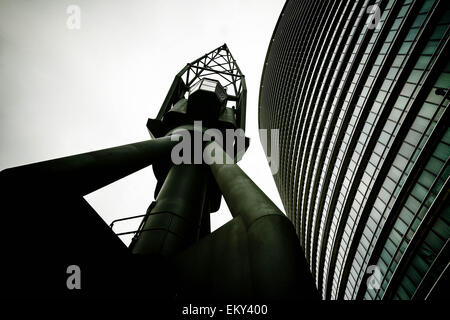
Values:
[(359, 91)]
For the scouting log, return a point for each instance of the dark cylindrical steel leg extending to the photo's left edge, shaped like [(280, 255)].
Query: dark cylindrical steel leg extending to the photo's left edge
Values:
[(87, 172)]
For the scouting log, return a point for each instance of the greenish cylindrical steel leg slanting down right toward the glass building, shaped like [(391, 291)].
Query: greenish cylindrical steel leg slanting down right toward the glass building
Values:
[(279, 268)]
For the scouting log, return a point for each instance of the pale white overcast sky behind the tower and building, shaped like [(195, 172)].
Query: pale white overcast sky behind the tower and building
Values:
[(64, 92)]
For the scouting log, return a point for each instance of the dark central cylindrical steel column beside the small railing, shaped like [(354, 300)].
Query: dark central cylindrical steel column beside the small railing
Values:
[(174, 222)]
